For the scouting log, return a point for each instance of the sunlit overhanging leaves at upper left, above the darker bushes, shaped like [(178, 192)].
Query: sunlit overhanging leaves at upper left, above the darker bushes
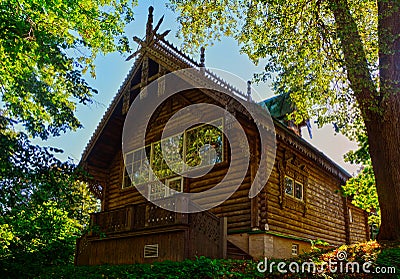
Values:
[(45, 47)]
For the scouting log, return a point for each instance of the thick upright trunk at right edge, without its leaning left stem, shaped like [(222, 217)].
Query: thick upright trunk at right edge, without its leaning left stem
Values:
[(384, 133)]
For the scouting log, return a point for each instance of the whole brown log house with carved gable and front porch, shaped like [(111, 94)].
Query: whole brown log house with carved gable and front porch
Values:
[(301, 201)]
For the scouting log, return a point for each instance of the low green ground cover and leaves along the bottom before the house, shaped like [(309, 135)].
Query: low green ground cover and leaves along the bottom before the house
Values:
[(218, 268)]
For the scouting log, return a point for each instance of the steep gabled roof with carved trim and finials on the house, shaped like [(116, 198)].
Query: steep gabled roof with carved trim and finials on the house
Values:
[(106, 140)]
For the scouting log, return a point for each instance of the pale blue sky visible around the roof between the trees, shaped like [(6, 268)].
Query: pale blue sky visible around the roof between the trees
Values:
[(112, 70)]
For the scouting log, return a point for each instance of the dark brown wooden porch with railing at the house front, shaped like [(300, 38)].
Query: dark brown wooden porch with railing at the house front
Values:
[(144, 233)]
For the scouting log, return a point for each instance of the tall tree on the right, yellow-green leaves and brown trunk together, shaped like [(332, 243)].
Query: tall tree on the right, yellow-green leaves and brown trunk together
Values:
[(336, 59)]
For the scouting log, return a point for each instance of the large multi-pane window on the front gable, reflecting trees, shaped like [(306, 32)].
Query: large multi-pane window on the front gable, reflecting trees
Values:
[(197, 147)]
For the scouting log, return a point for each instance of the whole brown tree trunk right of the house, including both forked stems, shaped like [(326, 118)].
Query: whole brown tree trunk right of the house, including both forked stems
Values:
[(380, 108)]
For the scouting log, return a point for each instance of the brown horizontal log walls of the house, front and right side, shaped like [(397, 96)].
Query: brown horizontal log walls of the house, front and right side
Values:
[(322, 214)]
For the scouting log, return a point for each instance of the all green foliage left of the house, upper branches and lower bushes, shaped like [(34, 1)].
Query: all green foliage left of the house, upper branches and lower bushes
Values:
[(45, 48)]
